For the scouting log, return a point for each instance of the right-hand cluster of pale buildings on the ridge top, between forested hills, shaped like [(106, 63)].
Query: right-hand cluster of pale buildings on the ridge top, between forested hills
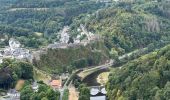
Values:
[(65, 38)]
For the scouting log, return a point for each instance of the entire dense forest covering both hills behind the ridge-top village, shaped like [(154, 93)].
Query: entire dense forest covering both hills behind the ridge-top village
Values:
[(126, 25)]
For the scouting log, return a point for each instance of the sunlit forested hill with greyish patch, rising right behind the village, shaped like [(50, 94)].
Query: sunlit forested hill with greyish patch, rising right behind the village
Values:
[(130, 24)]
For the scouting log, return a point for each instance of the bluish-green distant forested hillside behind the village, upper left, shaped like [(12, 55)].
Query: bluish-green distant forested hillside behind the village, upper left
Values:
[(37, 22)]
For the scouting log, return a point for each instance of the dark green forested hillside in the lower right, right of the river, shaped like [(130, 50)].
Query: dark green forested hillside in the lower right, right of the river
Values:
[(146, 78)]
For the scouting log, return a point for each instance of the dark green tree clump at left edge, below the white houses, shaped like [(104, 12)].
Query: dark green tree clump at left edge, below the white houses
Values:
[(11, 71)]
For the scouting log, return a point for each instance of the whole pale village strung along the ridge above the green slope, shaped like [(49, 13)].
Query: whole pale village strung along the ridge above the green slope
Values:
[(14, 50)]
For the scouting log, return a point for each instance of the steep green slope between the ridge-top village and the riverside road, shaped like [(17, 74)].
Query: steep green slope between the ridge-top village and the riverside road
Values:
[(62, 60)]
